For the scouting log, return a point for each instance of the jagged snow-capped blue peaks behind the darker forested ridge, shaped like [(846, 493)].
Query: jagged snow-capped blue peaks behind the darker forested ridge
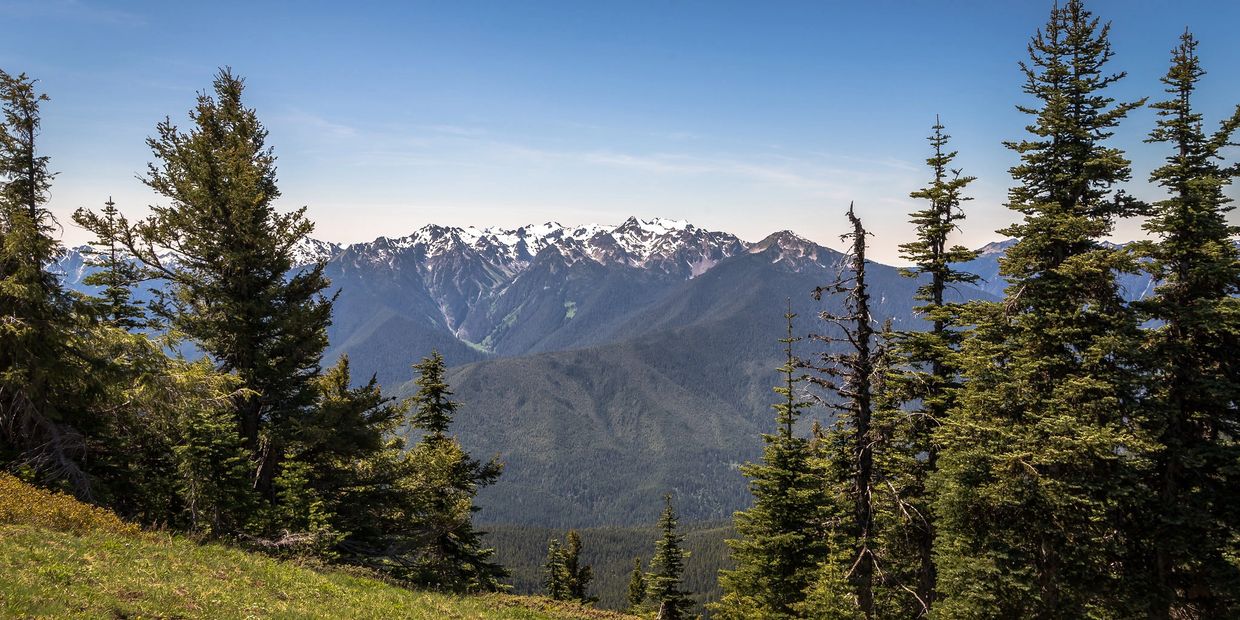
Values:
[(505, 291)]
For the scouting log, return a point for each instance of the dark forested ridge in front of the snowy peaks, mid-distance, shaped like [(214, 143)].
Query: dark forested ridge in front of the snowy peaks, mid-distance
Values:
[(596, 436)]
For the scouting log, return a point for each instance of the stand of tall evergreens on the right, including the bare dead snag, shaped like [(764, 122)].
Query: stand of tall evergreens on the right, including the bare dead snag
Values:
[(1062, 453)]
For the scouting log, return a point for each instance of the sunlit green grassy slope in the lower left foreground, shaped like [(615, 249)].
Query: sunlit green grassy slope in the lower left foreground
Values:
[(60, 559)]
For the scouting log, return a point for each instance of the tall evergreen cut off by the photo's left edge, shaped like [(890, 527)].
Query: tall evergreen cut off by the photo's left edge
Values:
[(45, 412)]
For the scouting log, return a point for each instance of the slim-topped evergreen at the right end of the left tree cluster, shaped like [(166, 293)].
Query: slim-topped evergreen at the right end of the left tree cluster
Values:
[(446, 480)]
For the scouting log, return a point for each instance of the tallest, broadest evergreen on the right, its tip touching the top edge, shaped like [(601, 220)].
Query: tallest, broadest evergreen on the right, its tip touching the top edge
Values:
[(1037, 469)]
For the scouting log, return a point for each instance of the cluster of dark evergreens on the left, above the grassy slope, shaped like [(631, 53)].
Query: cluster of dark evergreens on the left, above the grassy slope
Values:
[(254, 442)]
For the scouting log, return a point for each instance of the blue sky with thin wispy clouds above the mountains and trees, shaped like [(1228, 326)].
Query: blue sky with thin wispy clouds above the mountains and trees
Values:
[(745, 117)]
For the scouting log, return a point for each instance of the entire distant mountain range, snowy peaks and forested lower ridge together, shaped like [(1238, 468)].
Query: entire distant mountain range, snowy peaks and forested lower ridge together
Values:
[(606, 365)]
